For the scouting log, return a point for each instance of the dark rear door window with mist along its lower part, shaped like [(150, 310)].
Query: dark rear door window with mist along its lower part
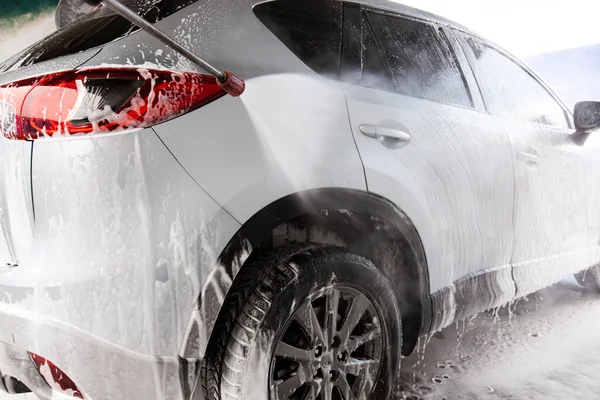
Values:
[(418, 60)]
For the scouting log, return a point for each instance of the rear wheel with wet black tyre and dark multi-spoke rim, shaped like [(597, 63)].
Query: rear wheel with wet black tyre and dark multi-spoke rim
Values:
[(361, 353)]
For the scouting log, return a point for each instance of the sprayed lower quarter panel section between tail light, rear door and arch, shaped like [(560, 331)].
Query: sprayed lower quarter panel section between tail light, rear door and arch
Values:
[(260, 153)]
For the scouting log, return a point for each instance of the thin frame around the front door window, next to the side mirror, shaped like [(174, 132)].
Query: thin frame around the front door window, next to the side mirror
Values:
[(462, 39)]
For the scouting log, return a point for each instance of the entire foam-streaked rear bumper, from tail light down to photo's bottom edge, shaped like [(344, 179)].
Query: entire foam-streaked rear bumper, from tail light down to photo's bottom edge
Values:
[(123, 244)]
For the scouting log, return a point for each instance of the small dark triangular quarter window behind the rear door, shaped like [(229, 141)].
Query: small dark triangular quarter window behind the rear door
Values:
[(311, 29)]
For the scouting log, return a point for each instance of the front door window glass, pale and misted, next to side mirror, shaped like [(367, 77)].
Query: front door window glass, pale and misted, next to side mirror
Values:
[(510, 91)]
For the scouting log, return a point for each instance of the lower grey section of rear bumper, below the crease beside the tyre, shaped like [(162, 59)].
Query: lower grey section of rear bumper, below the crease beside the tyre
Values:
[(100, 369)]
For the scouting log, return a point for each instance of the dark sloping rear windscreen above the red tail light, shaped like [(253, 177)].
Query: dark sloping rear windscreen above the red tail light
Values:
[(96, 29)]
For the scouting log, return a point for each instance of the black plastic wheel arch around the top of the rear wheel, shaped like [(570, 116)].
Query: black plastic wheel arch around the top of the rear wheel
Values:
[(329, 216)]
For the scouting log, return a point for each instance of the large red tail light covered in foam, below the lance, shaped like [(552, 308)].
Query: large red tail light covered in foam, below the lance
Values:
[(100, 101)]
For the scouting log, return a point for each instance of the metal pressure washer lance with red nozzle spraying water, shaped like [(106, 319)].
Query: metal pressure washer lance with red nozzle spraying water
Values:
[(232, 84)]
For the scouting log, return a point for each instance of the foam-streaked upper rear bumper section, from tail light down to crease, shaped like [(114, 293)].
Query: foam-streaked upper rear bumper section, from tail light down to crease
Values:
[(118, 221)]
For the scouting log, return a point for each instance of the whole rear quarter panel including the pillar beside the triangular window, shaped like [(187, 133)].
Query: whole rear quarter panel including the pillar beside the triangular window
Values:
[(288, 132)]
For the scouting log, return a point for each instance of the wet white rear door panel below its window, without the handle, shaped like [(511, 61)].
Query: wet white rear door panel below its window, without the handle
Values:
[(440, 189)]
